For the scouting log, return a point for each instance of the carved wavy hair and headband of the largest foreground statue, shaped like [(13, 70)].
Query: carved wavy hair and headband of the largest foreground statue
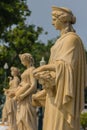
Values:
[(65, 15)]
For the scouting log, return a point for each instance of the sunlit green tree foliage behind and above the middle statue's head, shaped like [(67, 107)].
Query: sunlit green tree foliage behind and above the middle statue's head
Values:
[(24, 39)]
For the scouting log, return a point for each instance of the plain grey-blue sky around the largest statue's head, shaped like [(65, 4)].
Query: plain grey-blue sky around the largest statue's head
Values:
[(41, 16)]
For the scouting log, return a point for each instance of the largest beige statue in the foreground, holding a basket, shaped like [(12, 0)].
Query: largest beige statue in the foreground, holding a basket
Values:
[(64, 77)]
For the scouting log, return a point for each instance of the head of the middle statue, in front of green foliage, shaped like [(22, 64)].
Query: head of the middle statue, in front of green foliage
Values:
[(26, 58)]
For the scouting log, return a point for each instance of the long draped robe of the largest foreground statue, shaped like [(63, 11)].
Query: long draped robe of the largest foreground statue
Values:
[(62, 112)]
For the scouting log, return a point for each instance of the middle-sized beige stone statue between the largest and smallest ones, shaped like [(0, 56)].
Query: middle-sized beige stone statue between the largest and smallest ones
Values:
[(26, 113)]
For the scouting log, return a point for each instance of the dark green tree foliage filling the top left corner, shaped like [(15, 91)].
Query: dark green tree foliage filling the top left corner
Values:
[(12, 12)]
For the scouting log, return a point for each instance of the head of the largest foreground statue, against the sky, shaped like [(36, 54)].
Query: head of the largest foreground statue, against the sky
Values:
[(63, 16)]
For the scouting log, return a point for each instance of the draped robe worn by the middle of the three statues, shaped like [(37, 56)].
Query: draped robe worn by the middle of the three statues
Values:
[(26, 113)]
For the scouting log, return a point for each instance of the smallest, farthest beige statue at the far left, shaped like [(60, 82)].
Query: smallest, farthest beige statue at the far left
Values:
[(10, 107)]
